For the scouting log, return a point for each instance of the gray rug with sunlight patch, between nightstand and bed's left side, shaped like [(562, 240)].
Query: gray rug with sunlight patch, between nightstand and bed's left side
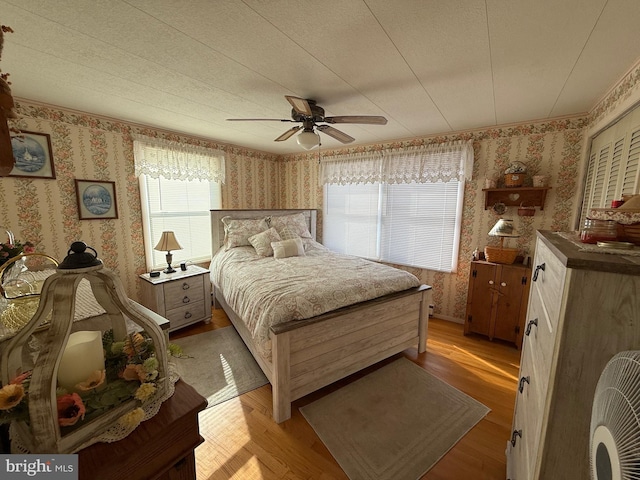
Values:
[(221, 366)]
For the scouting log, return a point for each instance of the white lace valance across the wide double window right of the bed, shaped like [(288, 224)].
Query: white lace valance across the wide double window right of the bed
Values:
[(415, 164)]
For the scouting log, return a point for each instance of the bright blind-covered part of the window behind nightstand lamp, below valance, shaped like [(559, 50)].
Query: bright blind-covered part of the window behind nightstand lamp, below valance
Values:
[(183, 207)]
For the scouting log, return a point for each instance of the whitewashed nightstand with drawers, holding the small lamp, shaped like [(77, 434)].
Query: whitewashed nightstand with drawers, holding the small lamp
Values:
[(183, 297)]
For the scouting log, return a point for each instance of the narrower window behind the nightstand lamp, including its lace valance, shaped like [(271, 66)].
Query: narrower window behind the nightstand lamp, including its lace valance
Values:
[(179, 185)]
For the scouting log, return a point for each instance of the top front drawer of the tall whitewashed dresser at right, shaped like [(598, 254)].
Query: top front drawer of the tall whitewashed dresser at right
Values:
[(549, 281)]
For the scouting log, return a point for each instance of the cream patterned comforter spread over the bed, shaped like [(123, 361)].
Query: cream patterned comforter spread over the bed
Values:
[(265, 291)]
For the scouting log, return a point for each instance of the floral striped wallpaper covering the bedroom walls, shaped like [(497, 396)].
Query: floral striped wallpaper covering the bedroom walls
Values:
[(86, 146)]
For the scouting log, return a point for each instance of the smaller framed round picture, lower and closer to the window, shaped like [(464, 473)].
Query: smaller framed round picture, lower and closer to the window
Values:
[(96, 199)]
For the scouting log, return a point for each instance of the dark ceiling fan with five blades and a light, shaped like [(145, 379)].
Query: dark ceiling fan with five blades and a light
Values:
[(306, 111)]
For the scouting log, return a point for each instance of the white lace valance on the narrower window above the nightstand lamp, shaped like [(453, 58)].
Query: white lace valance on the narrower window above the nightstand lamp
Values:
[(177, 161)]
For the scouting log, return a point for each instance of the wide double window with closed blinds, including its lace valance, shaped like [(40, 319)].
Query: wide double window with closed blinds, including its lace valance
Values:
[(394, 218)]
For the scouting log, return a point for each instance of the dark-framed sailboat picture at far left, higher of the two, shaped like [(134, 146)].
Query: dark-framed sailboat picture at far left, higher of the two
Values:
[(32, 155)]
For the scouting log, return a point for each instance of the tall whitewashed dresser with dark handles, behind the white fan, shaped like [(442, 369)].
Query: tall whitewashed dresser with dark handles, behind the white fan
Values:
[(583, 309)]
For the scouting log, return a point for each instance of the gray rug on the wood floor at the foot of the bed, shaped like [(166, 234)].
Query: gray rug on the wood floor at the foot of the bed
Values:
[(395, 423)]
